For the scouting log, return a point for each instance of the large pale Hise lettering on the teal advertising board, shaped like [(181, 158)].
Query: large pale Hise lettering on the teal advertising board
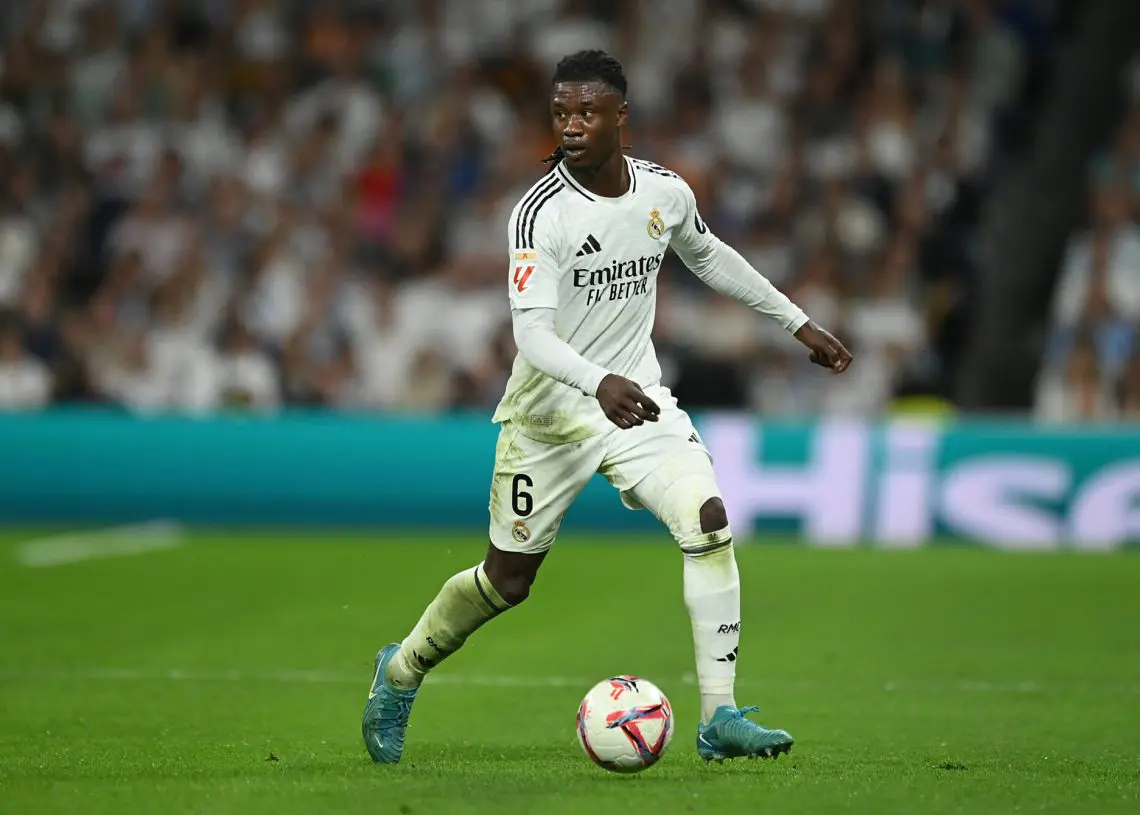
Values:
[(903, 485)]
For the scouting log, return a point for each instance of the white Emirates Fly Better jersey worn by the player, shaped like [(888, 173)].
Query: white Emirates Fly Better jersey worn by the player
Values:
[(596, 260)]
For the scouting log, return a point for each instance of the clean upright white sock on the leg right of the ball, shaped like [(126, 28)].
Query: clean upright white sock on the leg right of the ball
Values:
[(713, 597)]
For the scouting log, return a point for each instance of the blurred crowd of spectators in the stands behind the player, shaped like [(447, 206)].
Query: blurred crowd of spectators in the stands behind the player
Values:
[(214, 203)]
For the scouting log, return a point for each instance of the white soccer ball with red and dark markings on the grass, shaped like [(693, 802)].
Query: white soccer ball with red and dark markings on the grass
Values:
[(625, 724)]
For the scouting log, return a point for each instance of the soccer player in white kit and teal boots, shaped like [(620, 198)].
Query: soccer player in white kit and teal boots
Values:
[(587, 244)]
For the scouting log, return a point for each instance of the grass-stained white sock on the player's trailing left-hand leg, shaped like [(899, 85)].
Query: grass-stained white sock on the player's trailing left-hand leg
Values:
[(465, 604)]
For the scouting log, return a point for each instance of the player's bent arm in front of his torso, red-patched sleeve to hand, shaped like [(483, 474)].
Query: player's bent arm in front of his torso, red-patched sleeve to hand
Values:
[(536, 267)]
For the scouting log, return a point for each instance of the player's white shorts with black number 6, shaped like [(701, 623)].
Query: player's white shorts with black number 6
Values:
[(536, 483)]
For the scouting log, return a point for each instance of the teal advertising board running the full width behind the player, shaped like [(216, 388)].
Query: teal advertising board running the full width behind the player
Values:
[(832, 484)]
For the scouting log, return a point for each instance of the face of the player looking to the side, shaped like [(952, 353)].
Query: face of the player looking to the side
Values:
[(588, 119)]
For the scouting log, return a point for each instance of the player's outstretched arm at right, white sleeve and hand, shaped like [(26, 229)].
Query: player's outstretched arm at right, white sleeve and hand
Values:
[(726, 271)]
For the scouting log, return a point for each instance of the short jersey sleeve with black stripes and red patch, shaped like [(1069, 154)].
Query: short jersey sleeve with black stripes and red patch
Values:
[(536, 264)]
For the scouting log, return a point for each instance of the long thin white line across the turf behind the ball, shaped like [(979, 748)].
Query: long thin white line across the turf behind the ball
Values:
[(327, 678)]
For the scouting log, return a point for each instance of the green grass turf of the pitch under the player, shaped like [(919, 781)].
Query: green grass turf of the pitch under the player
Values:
[(927, 682)]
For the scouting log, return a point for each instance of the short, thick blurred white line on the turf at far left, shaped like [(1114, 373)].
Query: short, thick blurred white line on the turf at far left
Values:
[(118, 542)]
